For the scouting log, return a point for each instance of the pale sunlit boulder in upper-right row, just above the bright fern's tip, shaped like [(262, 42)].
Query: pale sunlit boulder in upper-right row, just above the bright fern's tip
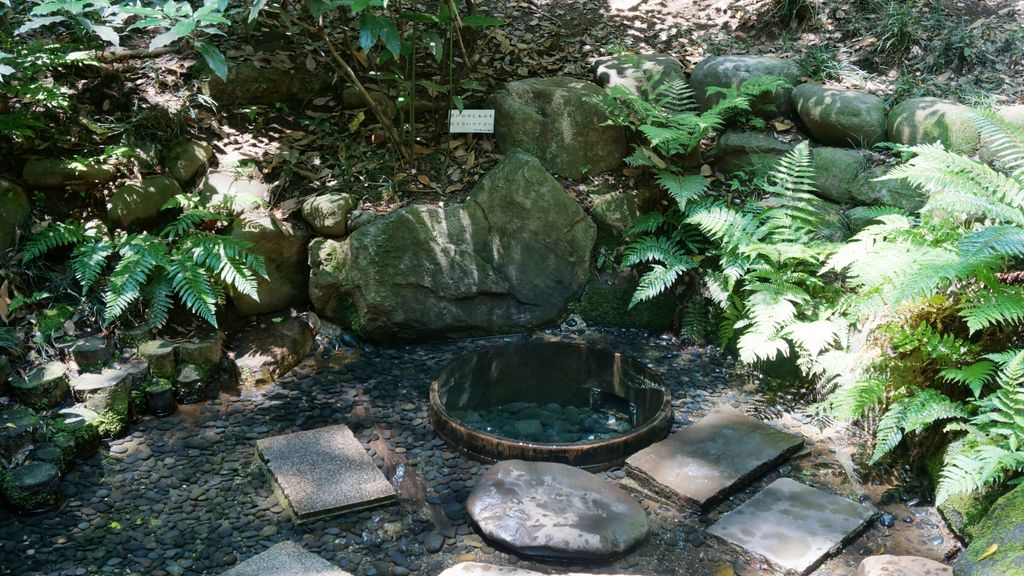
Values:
[(922, 121)]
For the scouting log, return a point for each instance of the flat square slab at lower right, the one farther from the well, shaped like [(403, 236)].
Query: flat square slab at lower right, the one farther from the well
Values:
[(793, 526)]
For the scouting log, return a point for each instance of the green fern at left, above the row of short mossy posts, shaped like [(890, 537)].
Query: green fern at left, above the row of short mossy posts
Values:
[(182, 262)]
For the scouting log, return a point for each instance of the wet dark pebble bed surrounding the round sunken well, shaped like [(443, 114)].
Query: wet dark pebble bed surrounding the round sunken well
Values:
[(182, 496)]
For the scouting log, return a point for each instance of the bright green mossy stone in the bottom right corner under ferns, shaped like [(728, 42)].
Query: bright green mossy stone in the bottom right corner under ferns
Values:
[(1002, 527)]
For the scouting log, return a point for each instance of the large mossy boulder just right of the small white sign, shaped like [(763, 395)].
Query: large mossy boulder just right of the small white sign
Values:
[(557, 120)]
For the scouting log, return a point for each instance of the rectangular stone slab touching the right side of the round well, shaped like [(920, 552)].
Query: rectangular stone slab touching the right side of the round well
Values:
[(700, 466)]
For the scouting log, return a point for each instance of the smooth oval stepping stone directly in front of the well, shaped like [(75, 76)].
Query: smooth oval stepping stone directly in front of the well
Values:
[(554, 511)]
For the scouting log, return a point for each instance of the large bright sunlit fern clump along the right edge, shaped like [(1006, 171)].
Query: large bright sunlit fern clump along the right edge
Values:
[(955, 257)]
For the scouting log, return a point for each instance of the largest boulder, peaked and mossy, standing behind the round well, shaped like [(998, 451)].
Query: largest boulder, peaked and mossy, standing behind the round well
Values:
[(507, 260)]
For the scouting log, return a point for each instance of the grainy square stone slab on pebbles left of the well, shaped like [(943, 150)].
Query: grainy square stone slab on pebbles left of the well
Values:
[(323, 473)]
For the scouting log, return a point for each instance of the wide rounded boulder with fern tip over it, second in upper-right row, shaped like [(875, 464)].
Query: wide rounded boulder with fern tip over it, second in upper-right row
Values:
[(731, 72)]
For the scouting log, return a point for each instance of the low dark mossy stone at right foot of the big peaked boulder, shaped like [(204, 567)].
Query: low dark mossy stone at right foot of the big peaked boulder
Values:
[(606, 303)]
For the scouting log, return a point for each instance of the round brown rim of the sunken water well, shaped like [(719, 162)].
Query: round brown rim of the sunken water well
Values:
[(593, 456)]
